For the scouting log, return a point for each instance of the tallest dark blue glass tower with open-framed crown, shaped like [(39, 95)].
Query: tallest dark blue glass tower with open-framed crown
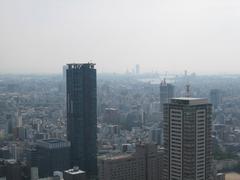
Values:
[(82, 116)]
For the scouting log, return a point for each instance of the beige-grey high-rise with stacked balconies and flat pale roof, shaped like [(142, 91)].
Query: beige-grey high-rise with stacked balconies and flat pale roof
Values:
[(187, 139)]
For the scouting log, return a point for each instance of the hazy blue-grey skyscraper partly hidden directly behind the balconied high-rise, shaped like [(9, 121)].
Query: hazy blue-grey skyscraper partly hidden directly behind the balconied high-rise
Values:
[(166, 93)]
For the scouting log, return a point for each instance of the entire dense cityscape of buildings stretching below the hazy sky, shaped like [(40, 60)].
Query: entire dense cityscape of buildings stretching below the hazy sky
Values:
[(132, 126)]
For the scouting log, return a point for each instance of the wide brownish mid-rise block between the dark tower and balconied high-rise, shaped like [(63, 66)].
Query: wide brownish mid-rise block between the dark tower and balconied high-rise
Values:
[(144, 164)]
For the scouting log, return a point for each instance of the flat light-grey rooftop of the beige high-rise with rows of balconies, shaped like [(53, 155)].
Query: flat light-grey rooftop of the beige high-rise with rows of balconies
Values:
[(189, 101)]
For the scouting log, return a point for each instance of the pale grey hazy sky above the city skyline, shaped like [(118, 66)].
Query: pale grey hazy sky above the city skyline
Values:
[(166, 35)]
